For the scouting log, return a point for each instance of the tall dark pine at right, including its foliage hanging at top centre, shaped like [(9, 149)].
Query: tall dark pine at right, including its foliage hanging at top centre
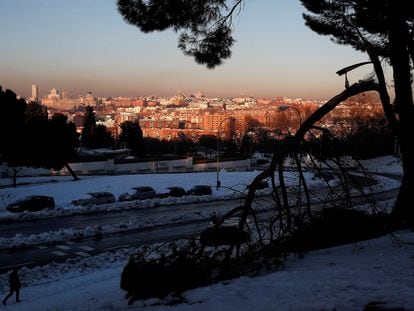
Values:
[(382, 28)]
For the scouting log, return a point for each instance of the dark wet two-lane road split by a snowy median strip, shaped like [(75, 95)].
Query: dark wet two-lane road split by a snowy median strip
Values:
[(42, 255)]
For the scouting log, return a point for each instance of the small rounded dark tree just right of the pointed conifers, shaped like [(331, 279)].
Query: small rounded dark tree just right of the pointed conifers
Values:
[(131, 134)]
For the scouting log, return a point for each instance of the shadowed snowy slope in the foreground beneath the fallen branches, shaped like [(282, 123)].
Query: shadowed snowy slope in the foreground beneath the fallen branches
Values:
[(342, 278)]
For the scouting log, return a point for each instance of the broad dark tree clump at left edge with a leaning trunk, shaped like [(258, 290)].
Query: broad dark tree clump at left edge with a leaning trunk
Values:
[(28, 138)]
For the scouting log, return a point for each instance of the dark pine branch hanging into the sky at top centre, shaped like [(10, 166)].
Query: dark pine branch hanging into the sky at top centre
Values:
[(204, 26)]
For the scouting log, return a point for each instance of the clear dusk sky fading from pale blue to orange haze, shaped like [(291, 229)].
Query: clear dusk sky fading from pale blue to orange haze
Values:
[(85, 45)]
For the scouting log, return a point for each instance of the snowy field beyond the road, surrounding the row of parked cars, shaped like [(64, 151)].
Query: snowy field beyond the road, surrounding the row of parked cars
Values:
[(233, 184)]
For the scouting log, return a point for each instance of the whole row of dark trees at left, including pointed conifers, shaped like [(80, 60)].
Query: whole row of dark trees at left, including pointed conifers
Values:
[(28, 137)]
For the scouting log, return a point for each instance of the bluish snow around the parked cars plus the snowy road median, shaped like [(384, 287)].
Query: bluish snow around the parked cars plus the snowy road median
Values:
[(64, 190)]
